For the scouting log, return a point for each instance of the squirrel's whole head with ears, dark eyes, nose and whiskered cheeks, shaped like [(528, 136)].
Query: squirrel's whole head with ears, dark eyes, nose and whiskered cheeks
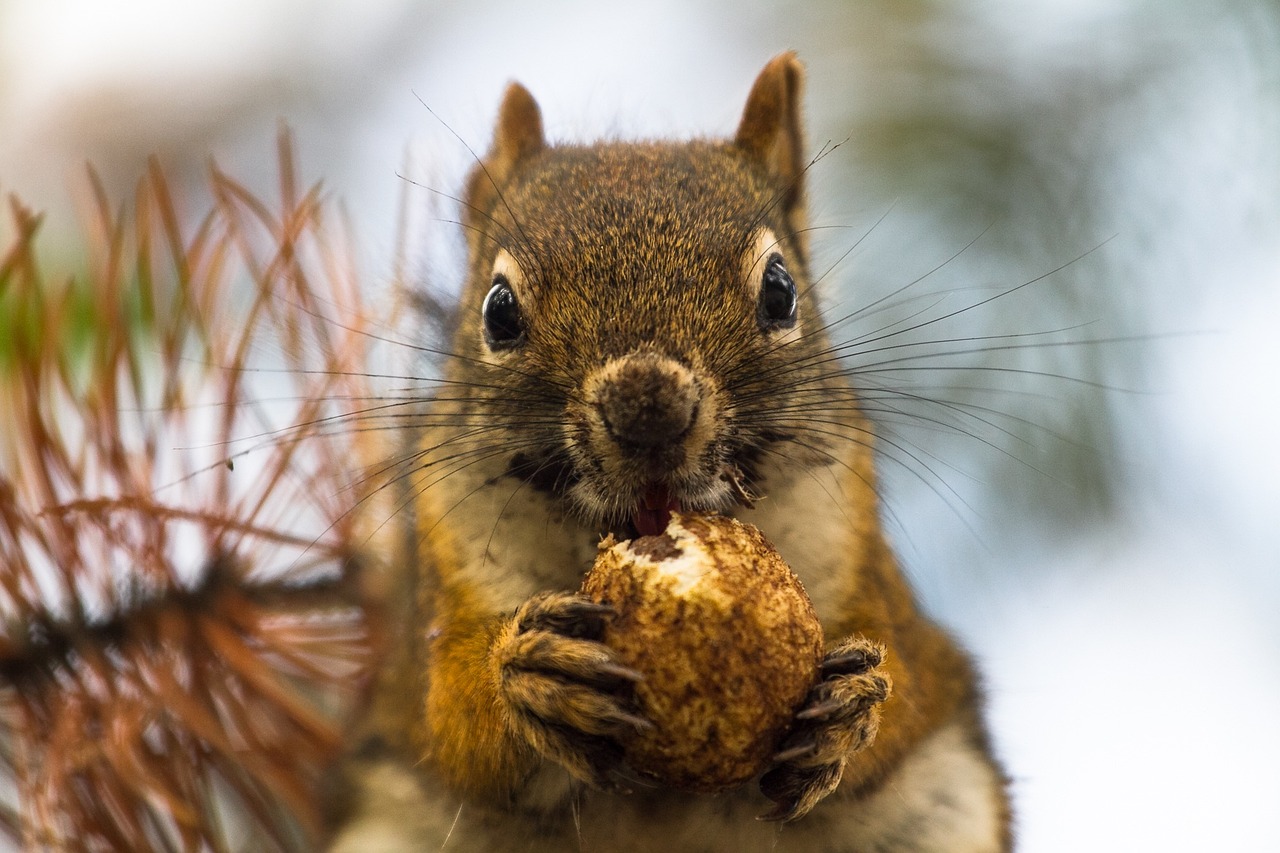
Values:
[(637, 313)]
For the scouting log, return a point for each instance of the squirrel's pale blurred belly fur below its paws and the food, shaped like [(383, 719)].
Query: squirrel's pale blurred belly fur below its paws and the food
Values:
[(945, 799)]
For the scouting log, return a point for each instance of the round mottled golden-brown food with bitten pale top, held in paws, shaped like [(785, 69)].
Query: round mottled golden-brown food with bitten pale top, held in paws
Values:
[(728, 642)]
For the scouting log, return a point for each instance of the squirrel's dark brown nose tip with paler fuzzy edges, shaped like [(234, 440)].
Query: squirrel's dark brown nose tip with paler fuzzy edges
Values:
[(648, 402)]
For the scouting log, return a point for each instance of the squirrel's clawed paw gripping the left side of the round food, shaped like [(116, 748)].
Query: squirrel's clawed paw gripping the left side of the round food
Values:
[(565, 692)]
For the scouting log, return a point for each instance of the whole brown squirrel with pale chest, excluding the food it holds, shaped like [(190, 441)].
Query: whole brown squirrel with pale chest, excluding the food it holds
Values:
[(639, 335)]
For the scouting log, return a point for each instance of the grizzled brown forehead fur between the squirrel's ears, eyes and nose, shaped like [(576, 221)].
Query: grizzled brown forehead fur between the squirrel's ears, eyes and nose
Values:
[(629, 245)]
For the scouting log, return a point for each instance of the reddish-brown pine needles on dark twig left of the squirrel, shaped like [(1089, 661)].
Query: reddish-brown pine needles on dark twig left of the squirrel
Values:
[(180, 633)]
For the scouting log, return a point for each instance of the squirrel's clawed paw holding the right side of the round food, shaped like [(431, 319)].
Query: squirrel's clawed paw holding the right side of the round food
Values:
[(840, 717)]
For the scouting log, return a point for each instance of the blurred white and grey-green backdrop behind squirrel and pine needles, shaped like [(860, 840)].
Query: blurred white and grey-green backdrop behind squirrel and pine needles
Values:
[(1054, 227)]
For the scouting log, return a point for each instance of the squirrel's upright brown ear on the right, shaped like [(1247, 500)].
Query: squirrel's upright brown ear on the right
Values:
[(771, 131)]
